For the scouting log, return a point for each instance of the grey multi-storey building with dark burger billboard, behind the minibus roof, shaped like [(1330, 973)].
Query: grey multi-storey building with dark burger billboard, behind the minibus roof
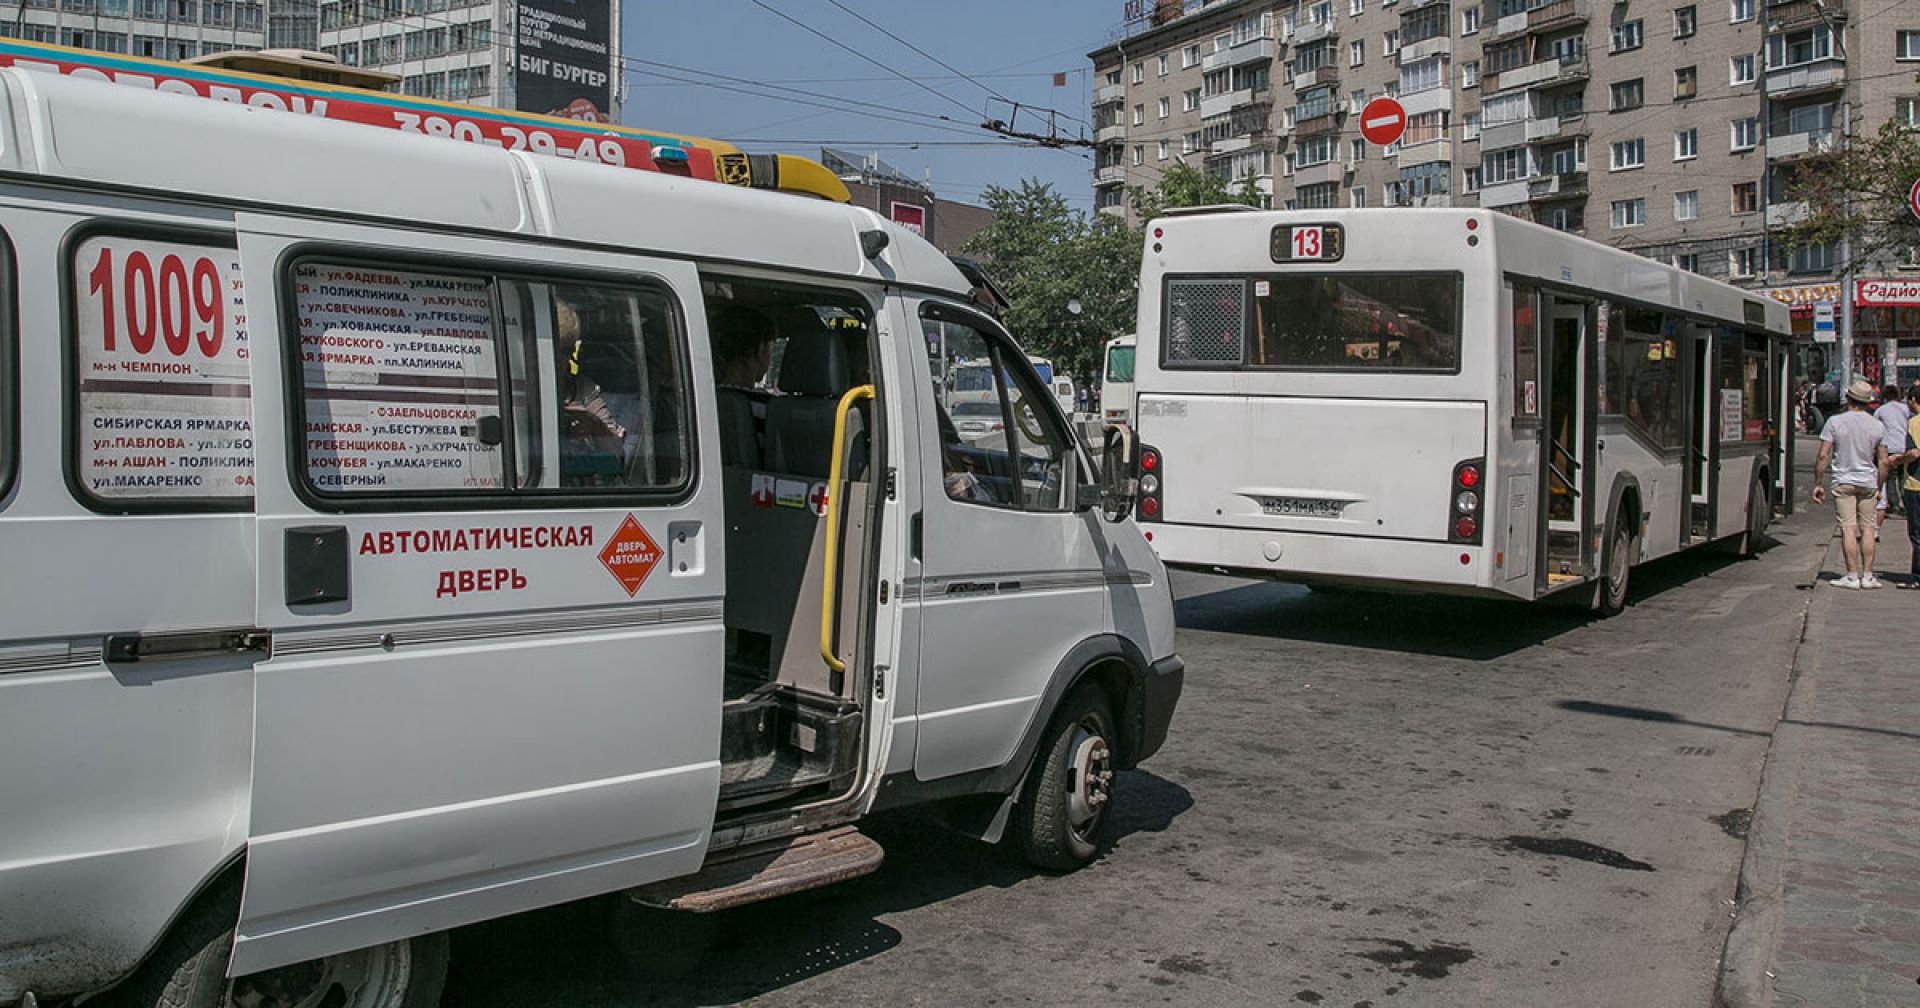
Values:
[(552, 57)]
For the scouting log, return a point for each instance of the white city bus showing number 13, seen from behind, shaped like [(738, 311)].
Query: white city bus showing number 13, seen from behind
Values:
[(1447, 400)]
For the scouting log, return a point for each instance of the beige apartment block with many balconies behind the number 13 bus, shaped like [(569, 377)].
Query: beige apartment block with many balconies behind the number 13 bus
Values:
[(1666, 128)]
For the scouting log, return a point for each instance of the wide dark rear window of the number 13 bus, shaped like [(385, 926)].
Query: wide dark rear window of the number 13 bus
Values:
[(1349, 322)]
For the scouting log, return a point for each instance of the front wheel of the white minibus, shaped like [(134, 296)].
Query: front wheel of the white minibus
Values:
[(1070, 788)]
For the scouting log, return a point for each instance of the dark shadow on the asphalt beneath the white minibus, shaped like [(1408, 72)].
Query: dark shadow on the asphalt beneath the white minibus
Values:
[(569, 955)]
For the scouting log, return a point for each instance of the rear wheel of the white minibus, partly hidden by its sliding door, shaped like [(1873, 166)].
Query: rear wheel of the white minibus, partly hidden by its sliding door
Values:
[(189, 969)]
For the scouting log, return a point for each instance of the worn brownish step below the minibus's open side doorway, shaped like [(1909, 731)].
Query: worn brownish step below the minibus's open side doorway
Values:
[(752, 875)]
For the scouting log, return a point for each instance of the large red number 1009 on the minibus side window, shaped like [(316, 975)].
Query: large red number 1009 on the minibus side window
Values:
[(178, 304)]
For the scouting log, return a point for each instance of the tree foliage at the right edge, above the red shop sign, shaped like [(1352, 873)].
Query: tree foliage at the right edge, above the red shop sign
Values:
[(1860, 195)]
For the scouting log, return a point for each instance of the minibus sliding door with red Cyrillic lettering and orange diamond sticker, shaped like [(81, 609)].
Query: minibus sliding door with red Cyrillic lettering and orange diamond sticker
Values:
[(487, 556)]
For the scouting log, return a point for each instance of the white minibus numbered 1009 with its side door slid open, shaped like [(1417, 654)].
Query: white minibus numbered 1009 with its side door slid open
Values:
[(404, 533)]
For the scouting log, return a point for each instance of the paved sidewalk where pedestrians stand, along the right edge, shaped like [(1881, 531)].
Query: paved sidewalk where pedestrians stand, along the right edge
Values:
[(1831, 888)]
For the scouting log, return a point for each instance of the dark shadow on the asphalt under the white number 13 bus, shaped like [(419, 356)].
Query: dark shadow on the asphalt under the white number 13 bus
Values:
[(1424, 625)]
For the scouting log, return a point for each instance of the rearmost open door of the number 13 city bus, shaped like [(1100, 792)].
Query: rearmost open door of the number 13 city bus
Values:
[(1568, 448)]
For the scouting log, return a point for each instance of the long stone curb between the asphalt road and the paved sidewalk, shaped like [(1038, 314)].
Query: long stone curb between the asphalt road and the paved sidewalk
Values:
[(1744, 978)]
